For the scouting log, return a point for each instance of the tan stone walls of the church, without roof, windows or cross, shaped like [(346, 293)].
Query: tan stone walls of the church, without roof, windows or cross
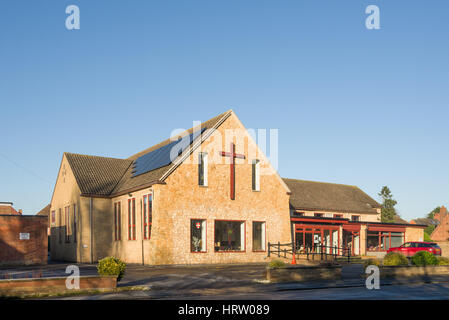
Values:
[(177, 199)]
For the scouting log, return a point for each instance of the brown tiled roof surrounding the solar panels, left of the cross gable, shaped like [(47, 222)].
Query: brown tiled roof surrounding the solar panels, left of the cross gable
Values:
[(102, 176)]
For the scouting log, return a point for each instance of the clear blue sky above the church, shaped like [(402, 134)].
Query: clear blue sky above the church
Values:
[(352, 105)]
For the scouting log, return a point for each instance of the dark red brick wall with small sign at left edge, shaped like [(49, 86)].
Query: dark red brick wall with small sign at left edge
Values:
[(14, 251)]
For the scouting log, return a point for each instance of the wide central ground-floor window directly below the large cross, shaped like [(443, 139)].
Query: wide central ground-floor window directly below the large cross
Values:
[(229, 236)]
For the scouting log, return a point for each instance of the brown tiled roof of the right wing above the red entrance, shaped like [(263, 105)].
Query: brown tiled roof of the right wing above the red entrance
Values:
[(311, 195)]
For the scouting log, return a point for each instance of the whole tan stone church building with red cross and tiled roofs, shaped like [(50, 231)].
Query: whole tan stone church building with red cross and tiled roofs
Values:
[(209, 195)]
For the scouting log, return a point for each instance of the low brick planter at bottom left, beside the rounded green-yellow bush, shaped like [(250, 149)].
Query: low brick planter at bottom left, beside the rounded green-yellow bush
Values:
[(55, 284)]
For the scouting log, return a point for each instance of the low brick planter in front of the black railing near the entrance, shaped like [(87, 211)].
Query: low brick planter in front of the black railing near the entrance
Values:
[(303, 273)]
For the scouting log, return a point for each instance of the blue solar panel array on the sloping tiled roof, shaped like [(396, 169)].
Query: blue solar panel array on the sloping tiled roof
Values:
[(164, 155)]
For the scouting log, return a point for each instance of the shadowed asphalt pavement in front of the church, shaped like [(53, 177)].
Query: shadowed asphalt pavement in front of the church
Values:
[(247, 281)]
